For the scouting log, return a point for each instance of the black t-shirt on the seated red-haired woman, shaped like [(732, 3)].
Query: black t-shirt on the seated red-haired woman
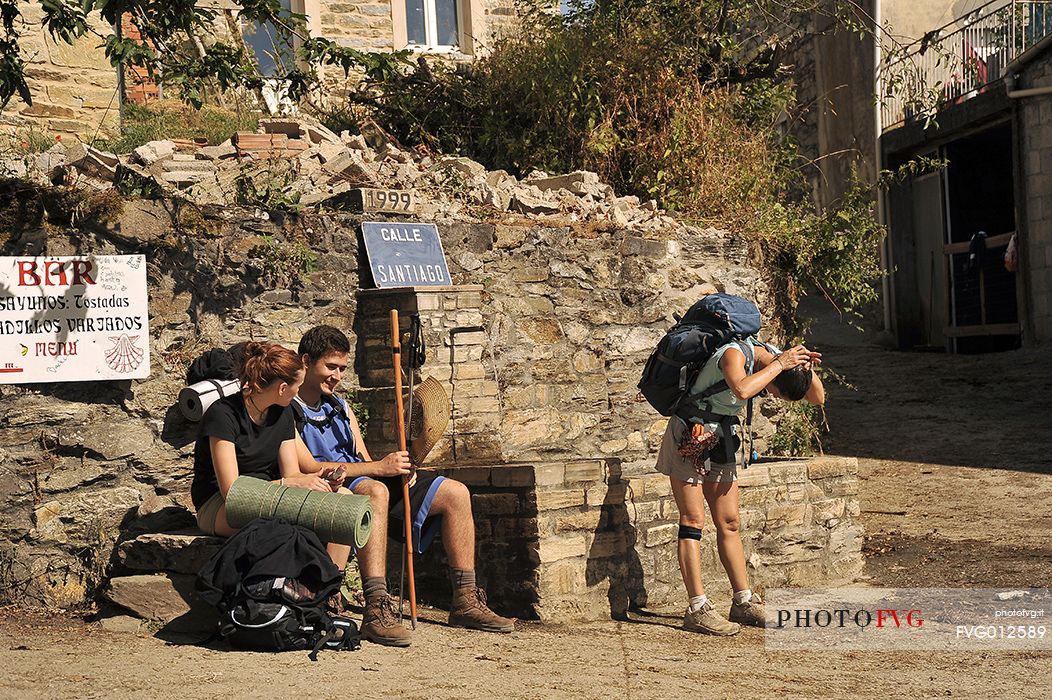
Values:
[(256, 446)]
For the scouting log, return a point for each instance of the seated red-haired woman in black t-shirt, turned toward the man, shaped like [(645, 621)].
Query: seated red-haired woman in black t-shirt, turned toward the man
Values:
[(252, 433)]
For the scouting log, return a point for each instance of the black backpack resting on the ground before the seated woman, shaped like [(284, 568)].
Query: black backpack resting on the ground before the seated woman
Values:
[(271, 584)]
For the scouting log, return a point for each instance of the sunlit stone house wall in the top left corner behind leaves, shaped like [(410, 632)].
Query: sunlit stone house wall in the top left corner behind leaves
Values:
[(74, 88)]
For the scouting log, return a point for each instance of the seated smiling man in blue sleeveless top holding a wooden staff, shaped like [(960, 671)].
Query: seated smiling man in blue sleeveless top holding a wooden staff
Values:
[(331, 435)]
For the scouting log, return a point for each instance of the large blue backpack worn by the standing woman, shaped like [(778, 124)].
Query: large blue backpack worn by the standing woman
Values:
[(713, 323)]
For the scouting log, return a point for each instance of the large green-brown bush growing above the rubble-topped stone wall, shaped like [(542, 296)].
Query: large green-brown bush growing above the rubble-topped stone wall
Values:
[(683, 102)]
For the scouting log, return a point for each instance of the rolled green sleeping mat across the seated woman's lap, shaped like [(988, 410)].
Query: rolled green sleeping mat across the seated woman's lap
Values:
[(341, 518)]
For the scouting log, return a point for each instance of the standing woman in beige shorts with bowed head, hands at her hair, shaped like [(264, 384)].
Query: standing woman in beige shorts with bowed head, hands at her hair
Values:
[(786, 376)]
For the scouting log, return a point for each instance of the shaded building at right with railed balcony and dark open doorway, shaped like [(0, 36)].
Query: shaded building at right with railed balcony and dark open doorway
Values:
[(993, 135)]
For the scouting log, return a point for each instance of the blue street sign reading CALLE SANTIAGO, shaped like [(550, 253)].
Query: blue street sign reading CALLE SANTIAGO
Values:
[(406, 255)]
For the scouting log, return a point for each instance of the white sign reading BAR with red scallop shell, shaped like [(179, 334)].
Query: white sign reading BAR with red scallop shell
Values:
[(73, 319)]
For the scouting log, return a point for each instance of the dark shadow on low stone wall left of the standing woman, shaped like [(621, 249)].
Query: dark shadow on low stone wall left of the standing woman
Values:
[(613, 553)]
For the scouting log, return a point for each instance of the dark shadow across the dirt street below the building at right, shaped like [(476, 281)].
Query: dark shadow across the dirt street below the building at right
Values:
[(992, 411)]
